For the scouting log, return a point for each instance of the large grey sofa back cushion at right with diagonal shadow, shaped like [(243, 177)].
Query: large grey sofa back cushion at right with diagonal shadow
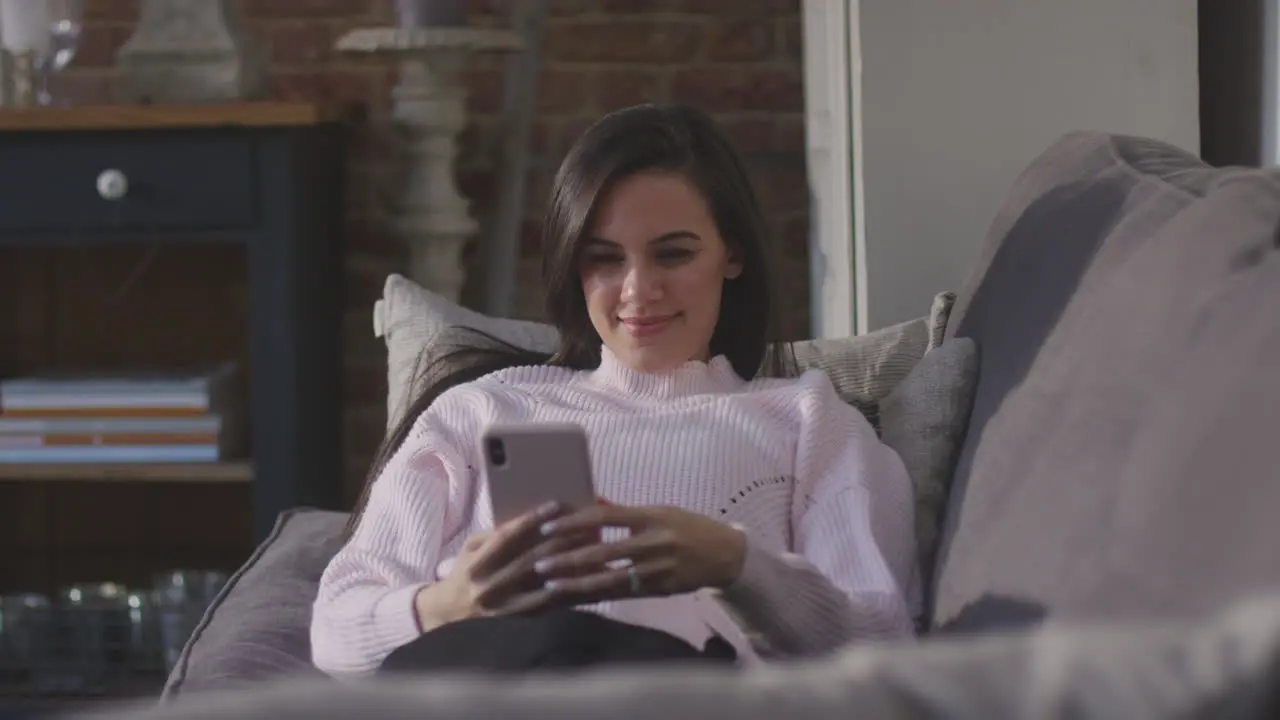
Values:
[(1121, 458)]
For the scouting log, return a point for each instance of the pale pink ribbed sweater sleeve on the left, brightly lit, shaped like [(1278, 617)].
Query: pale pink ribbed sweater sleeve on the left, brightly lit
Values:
[(365, 604)]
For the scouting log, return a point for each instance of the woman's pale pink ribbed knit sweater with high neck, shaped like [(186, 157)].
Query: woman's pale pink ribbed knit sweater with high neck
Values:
[(826, 507)]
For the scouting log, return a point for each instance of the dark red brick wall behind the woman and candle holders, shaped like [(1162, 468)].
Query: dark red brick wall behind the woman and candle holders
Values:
[(739, 60)]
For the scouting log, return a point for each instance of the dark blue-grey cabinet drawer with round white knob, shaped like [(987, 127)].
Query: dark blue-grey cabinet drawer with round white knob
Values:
[(181, 181)]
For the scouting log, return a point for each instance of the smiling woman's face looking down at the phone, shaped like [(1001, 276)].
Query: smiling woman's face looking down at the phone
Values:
[(653, 266)]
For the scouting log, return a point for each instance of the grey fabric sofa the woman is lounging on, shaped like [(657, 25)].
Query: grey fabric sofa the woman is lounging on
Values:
[(1108, 545)]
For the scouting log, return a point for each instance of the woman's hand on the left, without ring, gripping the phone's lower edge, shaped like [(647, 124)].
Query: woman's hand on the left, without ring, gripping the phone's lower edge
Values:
[(495, 572)]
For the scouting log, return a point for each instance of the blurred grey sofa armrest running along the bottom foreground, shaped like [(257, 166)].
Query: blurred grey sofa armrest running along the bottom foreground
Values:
[(1223, 668)]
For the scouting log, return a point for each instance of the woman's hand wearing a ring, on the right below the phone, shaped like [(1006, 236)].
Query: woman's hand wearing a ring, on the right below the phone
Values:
[(670, 552)]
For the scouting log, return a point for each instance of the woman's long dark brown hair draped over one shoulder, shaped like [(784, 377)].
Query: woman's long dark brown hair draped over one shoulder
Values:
[(647, 138)]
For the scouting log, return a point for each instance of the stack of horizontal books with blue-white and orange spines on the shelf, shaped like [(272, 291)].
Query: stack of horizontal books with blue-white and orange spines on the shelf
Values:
[(140, 418)]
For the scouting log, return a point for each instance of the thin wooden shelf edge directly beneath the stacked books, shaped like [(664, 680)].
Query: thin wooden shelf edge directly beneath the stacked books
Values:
[(230, 472)]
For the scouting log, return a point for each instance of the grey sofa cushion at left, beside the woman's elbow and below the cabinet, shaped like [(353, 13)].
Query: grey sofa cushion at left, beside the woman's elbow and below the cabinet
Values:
[(258, 628)]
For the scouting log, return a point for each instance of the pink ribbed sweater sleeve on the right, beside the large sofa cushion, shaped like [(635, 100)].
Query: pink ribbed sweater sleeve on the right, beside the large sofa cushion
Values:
[(853, 541)]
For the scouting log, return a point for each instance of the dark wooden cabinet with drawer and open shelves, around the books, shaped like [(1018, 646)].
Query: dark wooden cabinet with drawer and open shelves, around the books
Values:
[(223, 244)]
